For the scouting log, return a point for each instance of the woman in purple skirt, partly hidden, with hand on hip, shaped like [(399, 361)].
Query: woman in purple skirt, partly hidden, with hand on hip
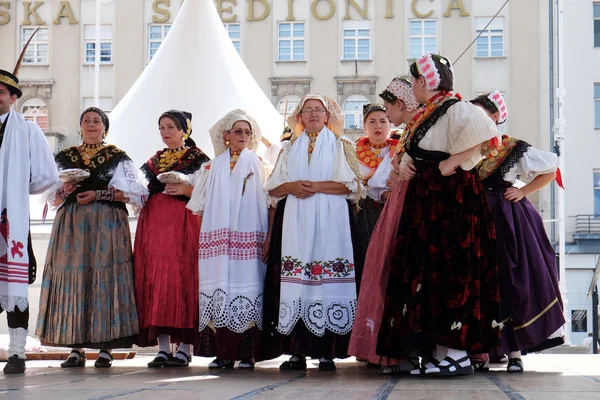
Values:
[(531, 308)]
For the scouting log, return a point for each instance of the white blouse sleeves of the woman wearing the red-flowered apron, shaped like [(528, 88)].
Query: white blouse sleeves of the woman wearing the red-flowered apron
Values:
[(342, 172)]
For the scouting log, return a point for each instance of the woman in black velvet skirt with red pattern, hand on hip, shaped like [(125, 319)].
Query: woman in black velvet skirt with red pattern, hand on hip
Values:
[(442, 291)]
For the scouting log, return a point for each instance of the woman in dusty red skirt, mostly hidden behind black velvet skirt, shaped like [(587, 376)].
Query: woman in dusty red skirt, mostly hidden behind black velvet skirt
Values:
[(402, 109)]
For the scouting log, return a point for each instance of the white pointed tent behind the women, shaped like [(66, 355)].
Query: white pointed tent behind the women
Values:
[(196, 69)]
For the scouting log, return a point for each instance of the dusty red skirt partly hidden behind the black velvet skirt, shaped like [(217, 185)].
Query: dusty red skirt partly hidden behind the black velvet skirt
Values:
[(363, 343)]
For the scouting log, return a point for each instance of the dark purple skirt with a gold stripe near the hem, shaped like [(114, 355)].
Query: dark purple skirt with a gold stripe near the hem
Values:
[(531, 307)]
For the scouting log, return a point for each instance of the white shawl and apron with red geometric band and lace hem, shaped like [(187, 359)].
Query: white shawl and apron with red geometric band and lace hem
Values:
[(234, 227)]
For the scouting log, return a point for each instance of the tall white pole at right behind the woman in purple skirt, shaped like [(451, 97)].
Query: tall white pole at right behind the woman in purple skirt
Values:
[(559, 137)]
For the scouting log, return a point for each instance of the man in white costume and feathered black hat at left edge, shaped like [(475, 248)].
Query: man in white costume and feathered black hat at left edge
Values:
[(26, 167)]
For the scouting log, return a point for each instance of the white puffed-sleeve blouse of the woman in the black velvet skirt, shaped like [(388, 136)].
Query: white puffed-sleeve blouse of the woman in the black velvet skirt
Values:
[(463, 127)]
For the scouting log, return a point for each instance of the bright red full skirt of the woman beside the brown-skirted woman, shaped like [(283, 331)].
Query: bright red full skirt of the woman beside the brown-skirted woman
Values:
[(166, 271)]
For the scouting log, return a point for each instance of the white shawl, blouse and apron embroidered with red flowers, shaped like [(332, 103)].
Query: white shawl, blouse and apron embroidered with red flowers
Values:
[(317, 272)]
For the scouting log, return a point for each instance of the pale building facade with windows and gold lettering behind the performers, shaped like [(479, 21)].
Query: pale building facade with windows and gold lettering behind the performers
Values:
[(349, 50)]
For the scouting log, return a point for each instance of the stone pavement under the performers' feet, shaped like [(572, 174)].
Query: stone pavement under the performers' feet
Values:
[(548, 377)]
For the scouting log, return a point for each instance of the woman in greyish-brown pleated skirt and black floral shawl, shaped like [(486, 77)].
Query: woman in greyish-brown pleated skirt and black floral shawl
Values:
[(87, 298)]
